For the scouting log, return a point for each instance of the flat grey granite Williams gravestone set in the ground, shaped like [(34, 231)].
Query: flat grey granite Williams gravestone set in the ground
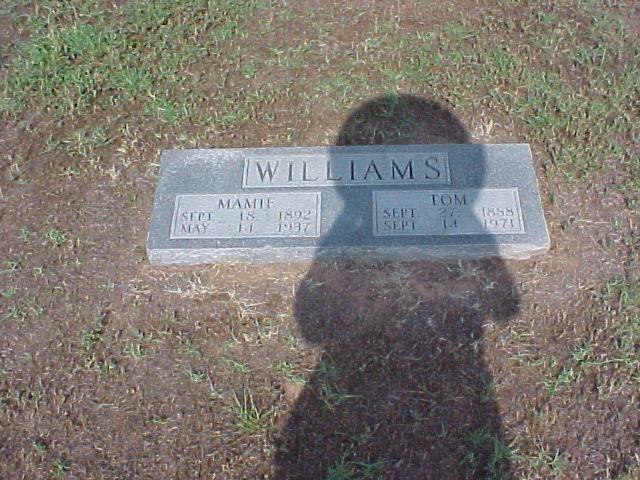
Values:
[(400, 202)]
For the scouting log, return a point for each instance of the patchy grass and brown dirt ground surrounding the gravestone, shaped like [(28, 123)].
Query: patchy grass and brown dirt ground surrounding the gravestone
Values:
[(111, 368)]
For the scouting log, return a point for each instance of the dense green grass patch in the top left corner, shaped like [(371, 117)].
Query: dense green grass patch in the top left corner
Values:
[(140, 51)]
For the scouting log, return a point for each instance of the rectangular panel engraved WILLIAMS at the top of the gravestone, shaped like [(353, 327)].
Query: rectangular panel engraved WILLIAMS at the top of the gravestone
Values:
[(373, 169)]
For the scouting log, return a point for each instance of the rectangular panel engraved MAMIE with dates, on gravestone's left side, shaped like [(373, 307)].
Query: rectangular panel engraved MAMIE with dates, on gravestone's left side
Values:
[(231, 216)]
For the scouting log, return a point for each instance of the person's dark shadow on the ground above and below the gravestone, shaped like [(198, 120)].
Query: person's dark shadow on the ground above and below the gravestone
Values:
[(401, 389)]
